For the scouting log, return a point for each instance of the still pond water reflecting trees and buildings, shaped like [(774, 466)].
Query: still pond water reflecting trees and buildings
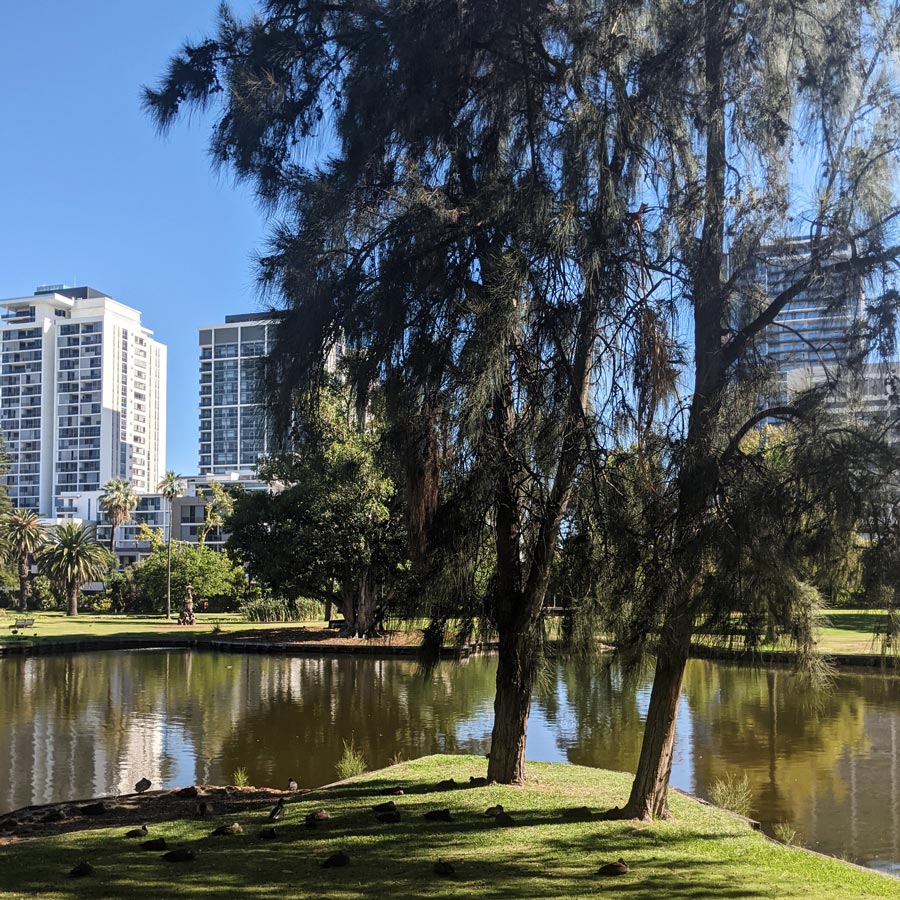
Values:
[(82, 725)]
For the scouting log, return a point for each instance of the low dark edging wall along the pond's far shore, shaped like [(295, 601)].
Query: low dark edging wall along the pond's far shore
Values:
[(322, 648)]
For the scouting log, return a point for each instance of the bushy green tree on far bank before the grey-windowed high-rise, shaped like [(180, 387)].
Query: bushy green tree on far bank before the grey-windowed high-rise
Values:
[(335, 530)]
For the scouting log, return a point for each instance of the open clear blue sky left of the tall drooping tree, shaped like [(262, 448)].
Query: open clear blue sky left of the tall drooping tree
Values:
[(90, 192)]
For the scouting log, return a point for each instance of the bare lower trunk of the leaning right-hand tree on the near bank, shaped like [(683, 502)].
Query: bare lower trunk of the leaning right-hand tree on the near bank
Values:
[(649, 797)]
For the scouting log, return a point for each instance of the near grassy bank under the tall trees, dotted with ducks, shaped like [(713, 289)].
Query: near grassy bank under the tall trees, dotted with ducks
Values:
[(704, 853)]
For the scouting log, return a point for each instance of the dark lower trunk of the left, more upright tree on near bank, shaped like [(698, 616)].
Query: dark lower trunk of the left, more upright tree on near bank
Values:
[(516, 670)]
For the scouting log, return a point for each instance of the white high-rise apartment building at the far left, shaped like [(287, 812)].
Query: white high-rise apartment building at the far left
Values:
[(82, 399)]
